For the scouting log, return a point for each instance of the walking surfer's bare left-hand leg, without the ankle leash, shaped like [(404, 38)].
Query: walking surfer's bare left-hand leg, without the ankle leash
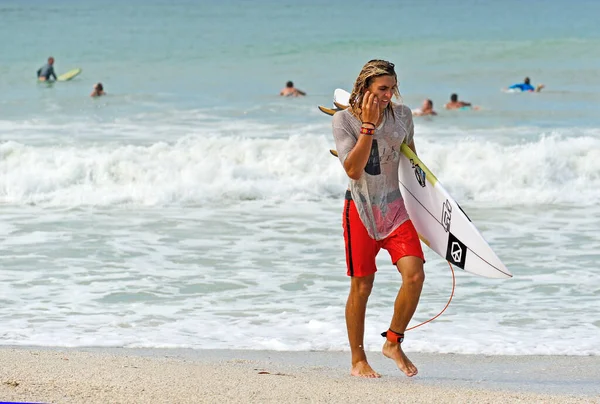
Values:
[(356, 307)]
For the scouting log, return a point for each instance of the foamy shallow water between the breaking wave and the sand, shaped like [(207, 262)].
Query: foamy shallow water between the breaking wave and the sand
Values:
[(263, 275)]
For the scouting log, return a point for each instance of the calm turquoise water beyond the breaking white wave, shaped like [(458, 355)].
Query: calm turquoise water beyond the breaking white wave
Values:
[(191, 55)]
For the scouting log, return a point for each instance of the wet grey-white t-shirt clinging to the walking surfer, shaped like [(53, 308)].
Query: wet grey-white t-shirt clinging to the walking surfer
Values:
[(377, 193)]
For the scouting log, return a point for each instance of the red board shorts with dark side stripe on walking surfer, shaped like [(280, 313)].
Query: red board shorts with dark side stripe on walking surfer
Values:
[(361, 249)]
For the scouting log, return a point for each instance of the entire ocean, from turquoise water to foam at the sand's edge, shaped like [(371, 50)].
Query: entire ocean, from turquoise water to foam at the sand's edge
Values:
[(193, 207)]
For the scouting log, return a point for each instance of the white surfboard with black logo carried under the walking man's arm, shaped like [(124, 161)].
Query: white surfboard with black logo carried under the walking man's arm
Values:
[(441, 223)]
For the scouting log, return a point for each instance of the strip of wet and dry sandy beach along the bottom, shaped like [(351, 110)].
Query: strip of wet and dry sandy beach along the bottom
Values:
[(186, 376)]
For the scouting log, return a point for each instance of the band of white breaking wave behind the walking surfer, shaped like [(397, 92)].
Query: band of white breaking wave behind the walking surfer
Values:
[(226, 167)]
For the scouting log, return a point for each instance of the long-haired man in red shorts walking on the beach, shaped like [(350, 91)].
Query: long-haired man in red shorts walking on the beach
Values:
[(368, 135)]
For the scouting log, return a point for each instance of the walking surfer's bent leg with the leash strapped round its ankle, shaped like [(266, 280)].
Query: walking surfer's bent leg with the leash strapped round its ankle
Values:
[(405, 305)]
